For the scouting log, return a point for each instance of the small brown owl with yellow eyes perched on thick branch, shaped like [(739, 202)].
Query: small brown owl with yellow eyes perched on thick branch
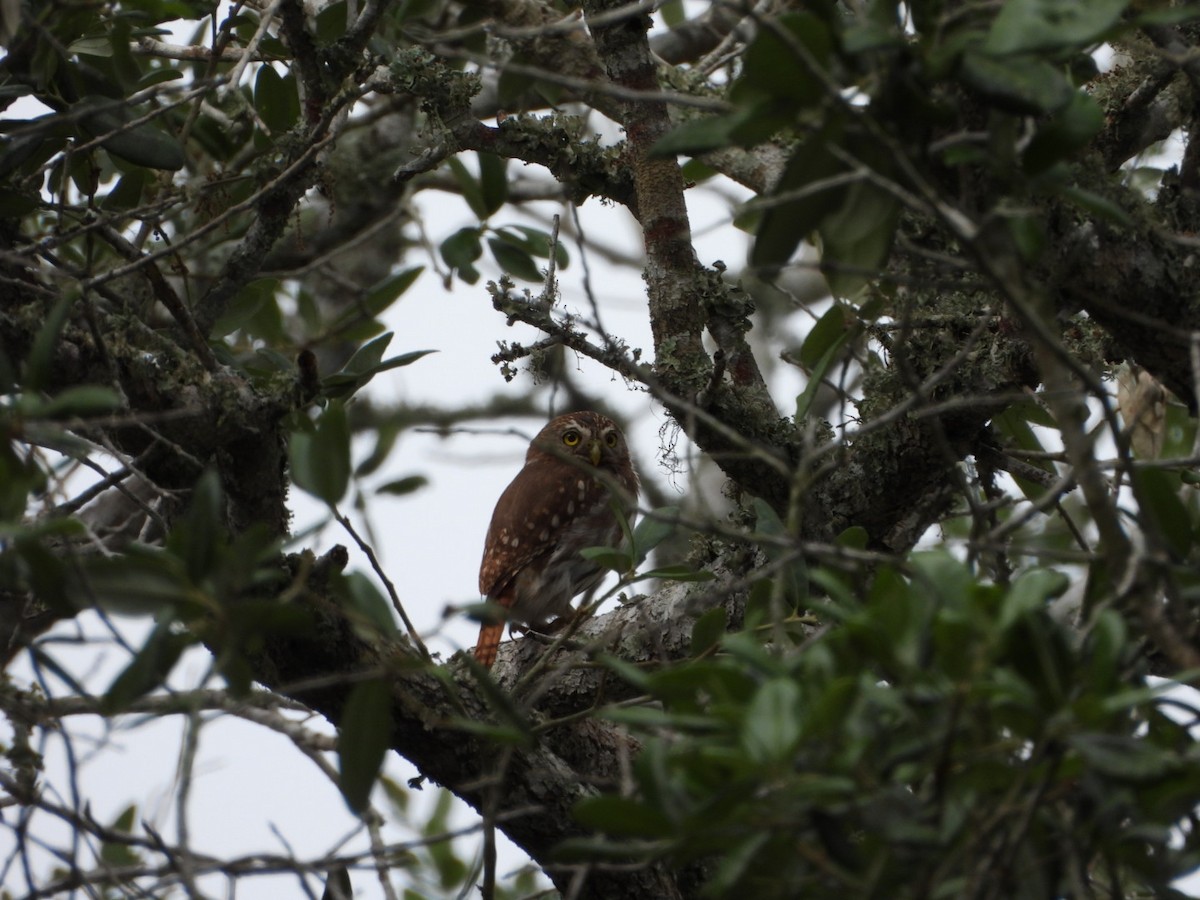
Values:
[(555, 508)]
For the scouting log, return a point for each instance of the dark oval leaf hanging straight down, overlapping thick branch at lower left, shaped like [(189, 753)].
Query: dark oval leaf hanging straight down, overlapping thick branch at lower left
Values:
[(363, 741)]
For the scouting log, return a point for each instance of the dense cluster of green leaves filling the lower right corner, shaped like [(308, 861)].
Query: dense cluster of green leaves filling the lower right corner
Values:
[(946, 739)]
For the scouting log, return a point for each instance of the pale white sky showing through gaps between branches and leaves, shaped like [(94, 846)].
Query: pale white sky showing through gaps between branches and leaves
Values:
[(249, 781)]
